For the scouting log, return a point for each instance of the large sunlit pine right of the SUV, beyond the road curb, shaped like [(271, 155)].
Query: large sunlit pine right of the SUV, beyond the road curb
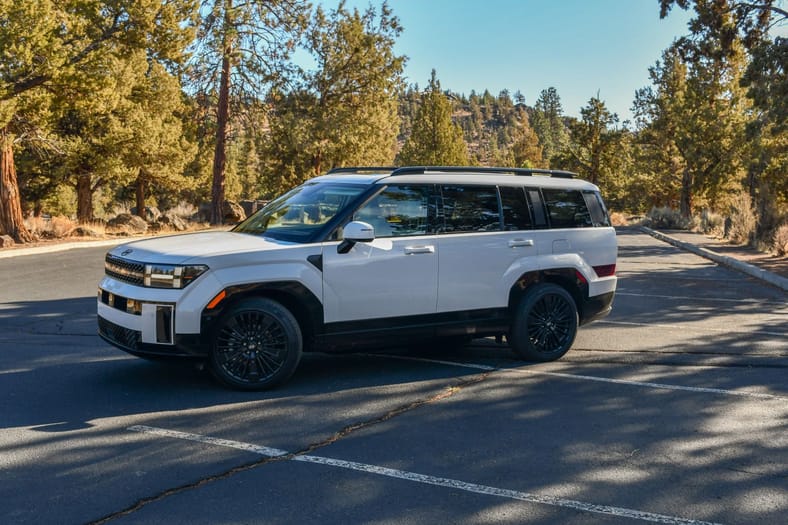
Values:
[(700, 112)]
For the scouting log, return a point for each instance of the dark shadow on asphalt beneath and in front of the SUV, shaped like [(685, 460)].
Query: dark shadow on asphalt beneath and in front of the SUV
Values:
[(58, 375)]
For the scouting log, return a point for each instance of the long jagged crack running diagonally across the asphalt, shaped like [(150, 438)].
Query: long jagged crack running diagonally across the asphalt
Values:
[(444, 393)]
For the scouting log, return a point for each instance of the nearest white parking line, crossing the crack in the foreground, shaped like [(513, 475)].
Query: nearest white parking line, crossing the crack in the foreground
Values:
[(426, 479)]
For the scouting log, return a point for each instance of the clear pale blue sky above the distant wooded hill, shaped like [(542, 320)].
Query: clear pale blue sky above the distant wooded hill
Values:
[(583, 48)]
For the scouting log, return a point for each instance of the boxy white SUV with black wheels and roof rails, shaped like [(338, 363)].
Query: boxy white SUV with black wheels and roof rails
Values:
[(368, 257)]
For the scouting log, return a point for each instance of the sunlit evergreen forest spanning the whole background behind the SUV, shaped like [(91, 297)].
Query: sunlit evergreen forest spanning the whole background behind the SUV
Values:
[(154, 102)]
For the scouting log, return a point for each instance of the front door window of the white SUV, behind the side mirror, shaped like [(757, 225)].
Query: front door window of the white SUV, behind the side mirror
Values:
[(397, 211)]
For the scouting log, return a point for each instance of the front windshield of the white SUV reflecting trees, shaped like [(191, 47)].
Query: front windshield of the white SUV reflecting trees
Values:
[(300, 213)]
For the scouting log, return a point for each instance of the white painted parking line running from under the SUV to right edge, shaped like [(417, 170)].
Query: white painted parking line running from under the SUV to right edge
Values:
[(646, 384)]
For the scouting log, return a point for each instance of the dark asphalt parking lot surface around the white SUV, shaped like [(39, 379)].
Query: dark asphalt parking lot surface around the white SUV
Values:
[(672, 410)]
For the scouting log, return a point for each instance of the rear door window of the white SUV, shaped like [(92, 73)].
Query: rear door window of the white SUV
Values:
[(470, 209)]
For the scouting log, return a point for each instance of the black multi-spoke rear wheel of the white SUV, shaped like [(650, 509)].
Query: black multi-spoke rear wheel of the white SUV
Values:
[(545, 323)]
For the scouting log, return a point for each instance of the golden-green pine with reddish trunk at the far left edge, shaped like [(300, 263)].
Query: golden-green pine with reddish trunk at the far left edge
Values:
[(65, 48)]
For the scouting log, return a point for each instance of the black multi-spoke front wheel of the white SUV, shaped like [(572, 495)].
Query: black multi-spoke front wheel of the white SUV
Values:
[(256, 345)]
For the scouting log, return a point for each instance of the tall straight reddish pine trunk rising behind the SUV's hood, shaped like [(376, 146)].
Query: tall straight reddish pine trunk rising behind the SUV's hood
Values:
[(222, 117)]
